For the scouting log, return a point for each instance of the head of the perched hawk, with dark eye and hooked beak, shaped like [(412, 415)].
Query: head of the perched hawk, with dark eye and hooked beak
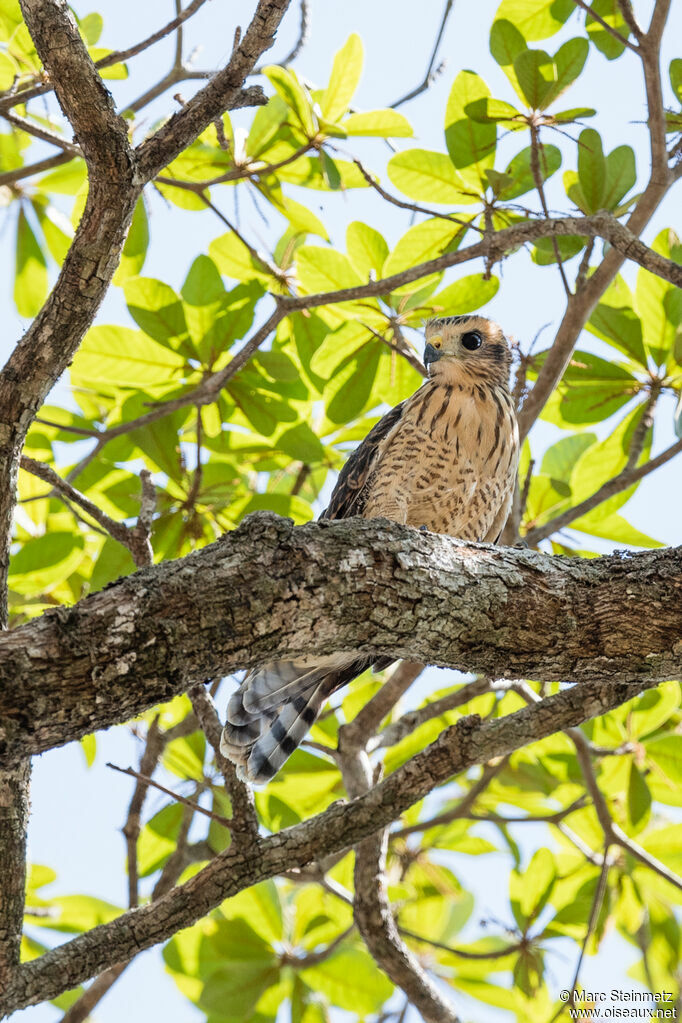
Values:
[(467, 345)]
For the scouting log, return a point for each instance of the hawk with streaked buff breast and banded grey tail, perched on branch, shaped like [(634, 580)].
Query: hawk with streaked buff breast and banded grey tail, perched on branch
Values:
[(444, 460)]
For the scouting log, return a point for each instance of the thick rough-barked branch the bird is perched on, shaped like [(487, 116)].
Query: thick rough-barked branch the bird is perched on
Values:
[(397, 593)]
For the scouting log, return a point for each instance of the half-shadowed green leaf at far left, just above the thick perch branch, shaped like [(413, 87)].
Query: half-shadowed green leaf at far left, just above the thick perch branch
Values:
[(44, 562)]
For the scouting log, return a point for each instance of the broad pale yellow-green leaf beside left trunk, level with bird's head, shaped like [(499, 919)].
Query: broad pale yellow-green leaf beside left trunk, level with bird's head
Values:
[(113, 358)]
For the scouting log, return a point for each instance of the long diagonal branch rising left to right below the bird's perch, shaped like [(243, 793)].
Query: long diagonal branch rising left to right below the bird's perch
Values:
[(468, 743)]
